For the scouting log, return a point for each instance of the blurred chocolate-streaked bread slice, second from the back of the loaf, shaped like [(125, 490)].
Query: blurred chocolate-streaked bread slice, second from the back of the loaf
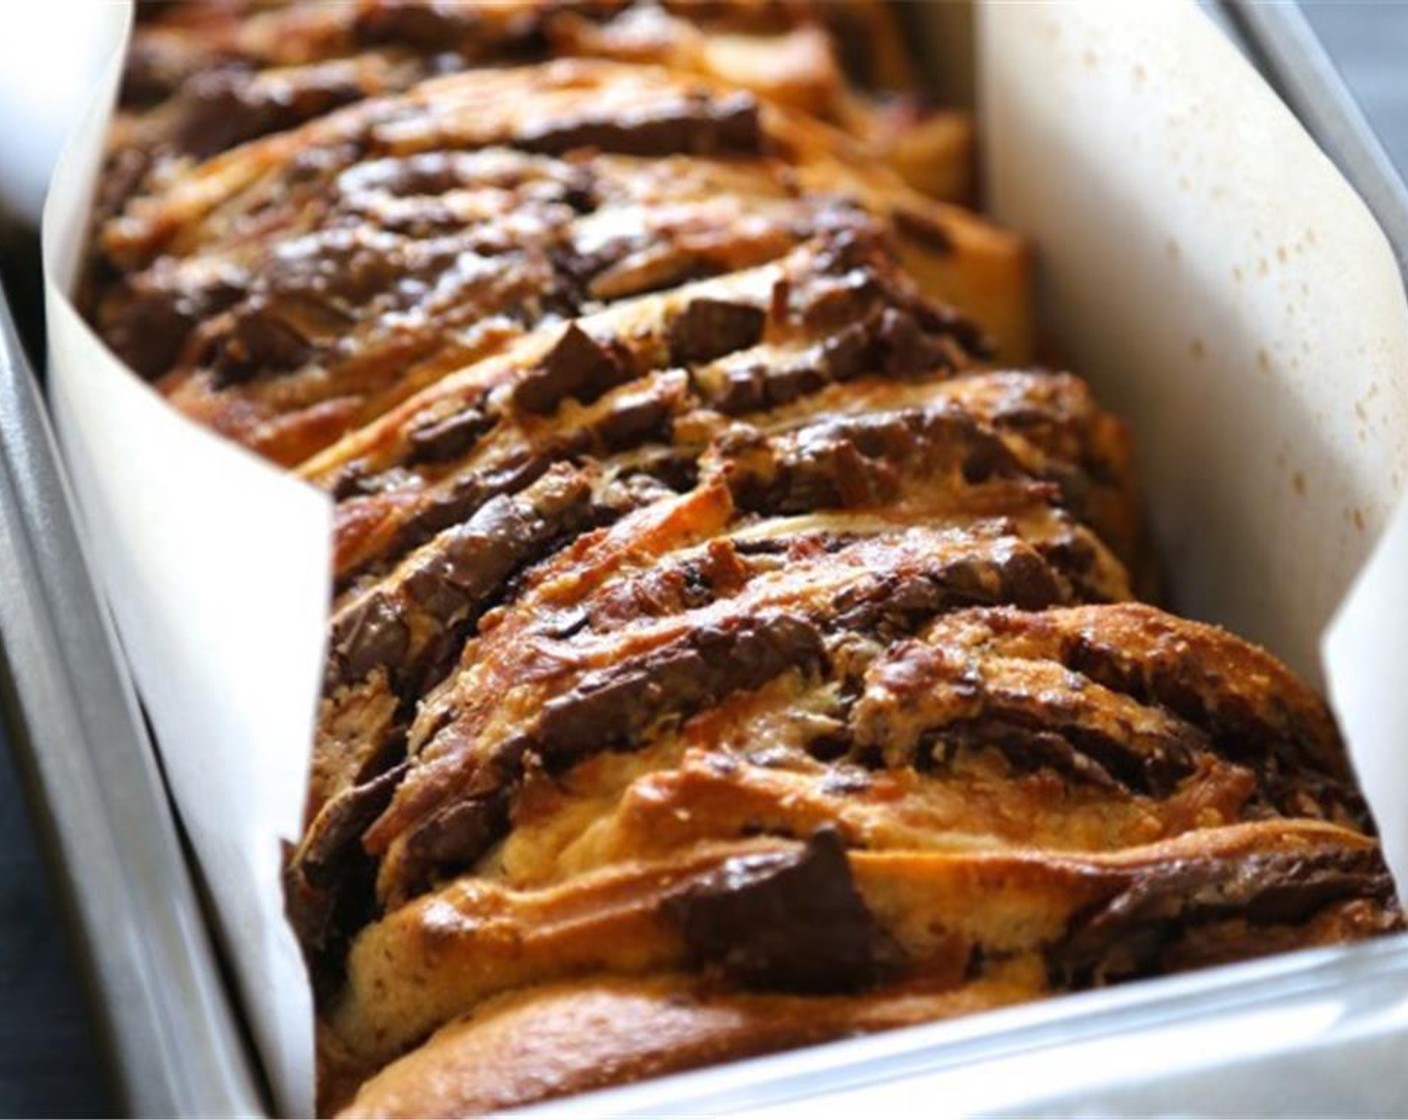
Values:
[(333, 274)]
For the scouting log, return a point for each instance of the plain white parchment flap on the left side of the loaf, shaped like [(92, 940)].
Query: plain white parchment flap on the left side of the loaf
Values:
[(218, 571)]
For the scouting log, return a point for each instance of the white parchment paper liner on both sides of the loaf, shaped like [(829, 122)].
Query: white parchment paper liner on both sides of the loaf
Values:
[(1203, 264)]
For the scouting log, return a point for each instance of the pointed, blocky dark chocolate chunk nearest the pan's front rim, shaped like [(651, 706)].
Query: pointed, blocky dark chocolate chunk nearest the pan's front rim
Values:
[(791, 922)]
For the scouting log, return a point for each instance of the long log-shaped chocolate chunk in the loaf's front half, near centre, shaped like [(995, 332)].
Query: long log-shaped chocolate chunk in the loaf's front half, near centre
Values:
[(616, 707)]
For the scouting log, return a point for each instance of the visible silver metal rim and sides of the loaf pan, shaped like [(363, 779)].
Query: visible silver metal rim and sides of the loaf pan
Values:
[(1313, 1033)]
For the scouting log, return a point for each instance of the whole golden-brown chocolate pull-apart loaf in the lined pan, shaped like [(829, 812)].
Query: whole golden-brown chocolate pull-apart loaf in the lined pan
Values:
[(733, 646)]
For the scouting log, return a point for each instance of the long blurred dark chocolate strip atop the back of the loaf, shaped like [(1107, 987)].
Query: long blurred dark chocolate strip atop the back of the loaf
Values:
[(695, 126)]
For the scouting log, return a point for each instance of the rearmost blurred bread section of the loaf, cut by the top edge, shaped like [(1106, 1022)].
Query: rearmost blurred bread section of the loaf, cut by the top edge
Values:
[(202, 78)]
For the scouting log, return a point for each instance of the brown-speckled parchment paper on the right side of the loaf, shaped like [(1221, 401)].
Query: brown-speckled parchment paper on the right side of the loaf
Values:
[(1226, 290)]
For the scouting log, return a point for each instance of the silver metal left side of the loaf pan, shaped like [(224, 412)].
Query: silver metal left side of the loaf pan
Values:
[(165, 1015)]
